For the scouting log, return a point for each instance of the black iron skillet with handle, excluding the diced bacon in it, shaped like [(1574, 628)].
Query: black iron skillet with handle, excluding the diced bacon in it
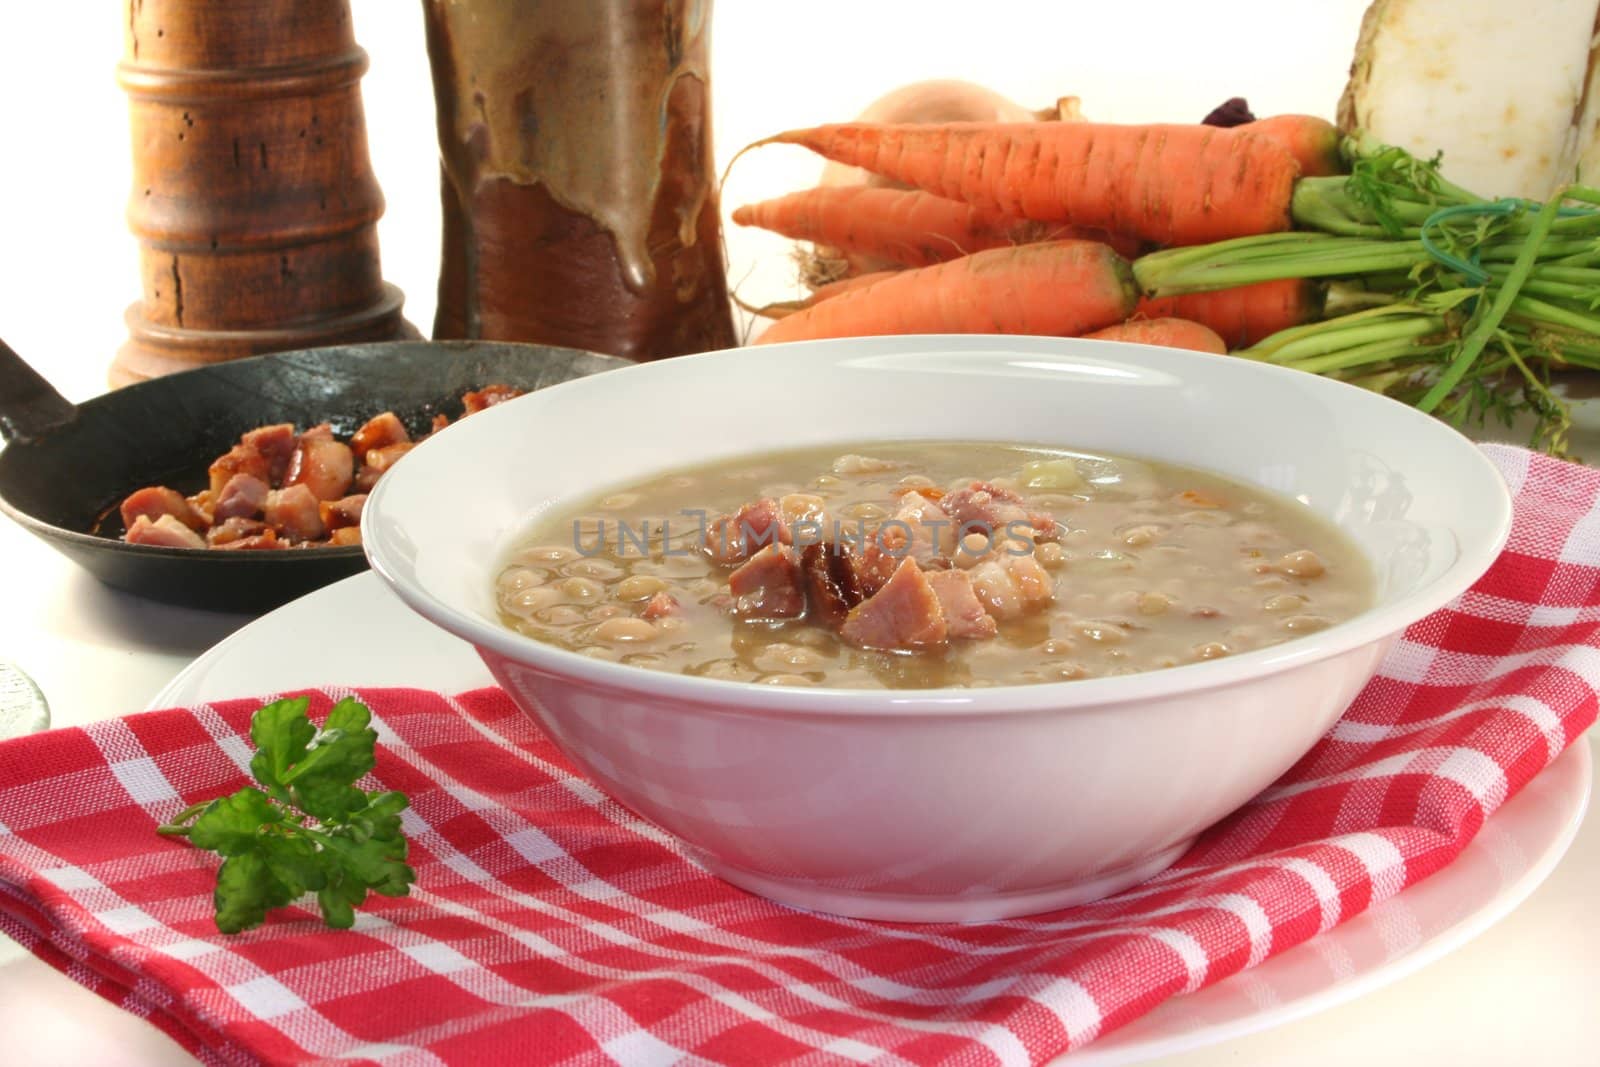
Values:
[(66, 468)]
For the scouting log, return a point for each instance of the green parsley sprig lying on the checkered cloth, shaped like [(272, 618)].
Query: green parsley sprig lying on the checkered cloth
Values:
[(310, 828)]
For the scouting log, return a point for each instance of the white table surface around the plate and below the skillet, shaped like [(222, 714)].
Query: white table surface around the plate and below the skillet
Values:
[(1519, 994)]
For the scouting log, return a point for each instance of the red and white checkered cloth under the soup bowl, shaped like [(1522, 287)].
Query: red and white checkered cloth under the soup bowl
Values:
[(553, 927)]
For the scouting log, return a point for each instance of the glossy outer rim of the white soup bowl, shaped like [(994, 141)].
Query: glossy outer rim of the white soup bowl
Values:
[(1370, 626)]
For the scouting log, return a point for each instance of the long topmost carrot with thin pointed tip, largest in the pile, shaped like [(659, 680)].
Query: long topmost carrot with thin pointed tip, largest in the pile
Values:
[(1172, 185)]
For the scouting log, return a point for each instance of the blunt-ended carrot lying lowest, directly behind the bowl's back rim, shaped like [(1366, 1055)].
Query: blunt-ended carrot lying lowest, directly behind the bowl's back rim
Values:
[(1060, 289)]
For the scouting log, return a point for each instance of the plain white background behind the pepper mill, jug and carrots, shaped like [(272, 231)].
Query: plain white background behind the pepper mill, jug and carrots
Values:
[(70, 266)]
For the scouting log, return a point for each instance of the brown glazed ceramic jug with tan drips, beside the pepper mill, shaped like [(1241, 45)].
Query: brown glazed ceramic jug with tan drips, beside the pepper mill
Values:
[(580, 196)]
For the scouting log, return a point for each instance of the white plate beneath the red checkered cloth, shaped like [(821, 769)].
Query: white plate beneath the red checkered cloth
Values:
[(358, 633)]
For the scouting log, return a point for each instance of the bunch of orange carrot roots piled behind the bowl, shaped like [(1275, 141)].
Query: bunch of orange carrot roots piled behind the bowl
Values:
[(1028, 228)]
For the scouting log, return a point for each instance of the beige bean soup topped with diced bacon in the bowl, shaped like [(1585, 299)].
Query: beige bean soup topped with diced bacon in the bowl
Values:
[(930, 564)]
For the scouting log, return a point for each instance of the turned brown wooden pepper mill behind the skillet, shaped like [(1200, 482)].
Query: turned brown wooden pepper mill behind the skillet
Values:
[(254, 199)]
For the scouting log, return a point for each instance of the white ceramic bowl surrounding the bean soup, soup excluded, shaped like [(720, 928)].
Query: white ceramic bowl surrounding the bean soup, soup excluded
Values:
[(942, 804)]
